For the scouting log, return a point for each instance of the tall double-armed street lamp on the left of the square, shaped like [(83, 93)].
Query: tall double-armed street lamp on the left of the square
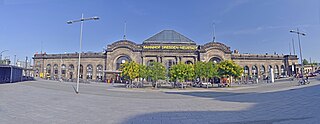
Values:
[(81, 27)]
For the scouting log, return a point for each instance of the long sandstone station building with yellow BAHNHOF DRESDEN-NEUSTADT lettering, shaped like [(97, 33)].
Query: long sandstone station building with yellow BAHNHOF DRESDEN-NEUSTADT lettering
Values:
[(167, 47)]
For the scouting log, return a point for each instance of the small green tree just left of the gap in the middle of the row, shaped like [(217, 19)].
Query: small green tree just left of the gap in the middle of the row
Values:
[(156, 71)]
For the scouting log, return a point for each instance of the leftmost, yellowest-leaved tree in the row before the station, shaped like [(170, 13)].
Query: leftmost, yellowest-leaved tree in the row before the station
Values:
[(130, 70)]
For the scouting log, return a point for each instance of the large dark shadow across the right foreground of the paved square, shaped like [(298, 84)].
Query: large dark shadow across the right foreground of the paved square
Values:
[(290, 106)]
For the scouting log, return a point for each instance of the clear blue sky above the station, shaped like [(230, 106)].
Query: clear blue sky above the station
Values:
[(250, 26)]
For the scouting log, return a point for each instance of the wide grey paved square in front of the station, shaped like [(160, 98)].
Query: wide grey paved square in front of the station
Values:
[(56, 102)]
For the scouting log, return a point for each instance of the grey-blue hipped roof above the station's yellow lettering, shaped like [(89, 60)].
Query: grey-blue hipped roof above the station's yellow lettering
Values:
[(168, 36)]
